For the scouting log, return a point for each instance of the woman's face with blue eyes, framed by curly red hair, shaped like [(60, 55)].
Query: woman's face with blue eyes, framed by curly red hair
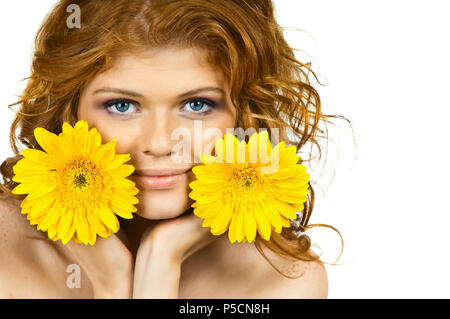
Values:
[(144, 102)]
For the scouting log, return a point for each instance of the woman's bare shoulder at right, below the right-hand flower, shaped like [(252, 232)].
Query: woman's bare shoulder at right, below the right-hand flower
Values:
[(221, 270)]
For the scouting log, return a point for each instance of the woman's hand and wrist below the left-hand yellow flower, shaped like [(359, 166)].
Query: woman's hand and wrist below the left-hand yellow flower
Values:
[(108, 264)]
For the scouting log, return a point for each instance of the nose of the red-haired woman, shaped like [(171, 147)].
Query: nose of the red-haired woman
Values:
[(156, 140)]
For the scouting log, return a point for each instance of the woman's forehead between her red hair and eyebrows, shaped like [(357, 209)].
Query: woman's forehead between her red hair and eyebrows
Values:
[(170, 69)]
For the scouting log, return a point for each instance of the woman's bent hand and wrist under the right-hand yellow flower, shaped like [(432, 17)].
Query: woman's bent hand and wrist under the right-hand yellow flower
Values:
[(164, 247)]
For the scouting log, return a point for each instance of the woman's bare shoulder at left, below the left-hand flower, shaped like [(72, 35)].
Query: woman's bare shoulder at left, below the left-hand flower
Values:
[(30, 267)]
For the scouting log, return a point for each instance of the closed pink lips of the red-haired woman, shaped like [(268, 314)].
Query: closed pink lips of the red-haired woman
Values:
[(160, 178)]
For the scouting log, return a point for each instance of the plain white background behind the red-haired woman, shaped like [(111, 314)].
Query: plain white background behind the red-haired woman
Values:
[(386, 66)]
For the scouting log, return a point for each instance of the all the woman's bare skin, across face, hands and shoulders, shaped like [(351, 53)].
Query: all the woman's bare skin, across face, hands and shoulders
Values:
[(162, 252)]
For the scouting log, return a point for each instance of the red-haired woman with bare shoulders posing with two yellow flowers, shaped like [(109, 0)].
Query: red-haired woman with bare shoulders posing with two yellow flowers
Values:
[(138, 70)]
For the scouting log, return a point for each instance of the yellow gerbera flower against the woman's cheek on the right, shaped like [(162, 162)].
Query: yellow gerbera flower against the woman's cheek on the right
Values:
[(236, 190)]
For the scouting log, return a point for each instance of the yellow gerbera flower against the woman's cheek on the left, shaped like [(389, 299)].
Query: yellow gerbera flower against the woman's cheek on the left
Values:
[(76, 185)]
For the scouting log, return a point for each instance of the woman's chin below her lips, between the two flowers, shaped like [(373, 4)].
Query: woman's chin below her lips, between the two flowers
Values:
[(162, 203)]
